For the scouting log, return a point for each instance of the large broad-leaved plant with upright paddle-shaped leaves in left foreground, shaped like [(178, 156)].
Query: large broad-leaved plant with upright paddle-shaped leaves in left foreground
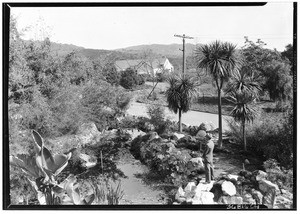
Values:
[(42, 169)]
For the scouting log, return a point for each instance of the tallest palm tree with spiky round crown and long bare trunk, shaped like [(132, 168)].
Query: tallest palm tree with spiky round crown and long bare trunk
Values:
[(220, 60)]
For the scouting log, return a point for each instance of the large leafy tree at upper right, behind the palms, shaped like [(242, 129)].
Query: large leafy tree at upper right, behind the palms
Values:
[(272, 69)]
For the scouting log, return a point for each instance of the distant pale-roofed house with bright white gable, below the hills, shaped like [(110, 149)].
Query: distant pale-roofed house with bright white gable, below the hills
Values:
[(142, 66)]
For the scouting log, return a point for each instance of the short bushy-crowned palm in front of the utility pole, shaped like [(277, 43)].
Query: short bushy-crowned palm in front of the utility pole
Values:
[(179, 95)]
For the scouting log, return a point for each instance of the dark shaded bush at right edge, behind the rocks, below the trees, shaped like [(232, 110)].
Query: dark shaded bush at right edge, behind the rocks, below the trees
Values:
[(269, 137)]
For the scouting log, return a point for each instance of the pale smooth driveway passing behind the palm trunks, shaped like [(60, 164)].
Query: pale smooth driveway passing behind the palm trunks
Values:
[(193, 118)]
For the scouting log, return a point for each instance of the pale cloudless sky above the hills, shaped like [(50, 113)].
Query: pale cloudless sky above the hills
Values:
[(120, 27)]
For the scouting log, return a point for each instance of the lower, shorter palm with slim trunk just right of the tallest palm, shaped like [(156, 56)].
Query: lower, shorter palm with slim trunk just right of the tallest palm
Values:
[(243, 110)]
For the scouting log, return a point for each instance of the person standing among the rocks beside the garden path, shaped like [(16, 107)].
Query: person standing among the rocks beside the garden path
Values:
[(208, 158)]
